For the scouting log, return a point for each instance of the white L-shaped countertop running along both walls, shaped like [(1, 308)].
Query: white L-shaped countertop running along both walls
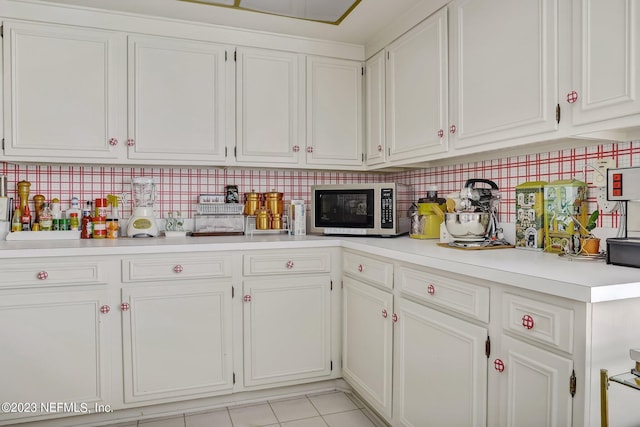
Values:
[(582, 280)]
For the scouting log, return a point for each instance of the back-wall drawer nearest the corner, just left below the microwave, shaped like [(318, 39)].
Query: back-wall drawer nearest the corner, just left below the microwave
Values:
[(287, 262)]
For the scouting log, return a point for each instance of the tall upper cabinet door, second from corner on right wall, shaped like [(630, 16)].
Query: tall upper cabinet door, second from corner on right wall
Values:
[(417, 94)]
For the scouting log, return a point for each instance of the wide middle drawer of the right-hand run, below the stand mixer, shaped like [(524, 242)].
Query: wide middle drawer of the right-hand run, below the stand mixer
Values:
[(466, 298)]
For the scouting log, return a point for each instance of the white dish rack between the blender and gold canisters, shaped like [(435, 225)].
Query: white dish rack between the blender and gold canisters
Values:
[(216, 219)]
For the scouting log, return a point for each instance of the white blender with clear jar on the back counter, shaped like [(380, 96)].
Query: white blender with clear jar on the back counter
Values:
[(143, 222)]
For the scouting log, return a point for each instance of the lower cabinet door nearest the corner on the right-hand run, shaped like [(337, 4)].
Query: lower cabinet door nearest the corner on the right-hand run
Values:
[(367, 342)]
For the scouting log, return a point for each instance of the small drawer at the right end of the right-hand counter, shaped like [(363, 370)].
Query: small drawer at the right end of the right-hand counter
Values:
[(538, 321)]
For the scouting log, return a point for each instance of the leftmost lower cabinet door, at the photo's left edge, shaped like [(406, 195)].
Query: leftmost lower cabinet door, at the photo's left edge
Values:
[(55, 348)]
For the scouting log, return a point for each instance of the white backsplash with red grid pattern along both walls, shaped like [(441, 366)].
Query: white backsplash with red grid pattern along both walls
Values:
[(178, 188)]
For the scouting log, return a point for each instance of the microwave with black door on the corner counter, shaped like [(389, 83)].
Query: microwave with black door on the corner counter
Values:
[(374, 209)]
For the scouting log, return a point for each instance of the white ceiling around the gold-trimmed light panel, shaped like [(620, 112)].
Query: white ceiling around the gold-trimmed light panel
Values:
[(359, 26)]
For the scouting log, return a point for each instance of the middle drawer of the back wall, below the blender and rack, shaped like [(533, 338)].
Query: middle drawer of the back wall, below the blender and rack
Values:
[(177, 266)]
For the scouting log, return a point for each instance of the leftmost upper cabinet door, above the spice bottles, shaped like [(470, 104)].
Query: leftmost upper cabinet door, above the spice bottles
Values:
[(63, 92)]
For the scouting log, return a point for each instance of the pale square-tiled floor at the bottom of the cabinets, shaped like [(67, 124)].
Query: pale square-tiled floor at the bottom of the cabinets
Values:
[(333, 409)]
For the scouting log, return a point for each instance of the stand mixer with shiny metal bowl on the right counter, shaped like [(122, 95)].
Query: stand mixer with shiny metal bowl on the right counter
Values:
[(476, 222)]
